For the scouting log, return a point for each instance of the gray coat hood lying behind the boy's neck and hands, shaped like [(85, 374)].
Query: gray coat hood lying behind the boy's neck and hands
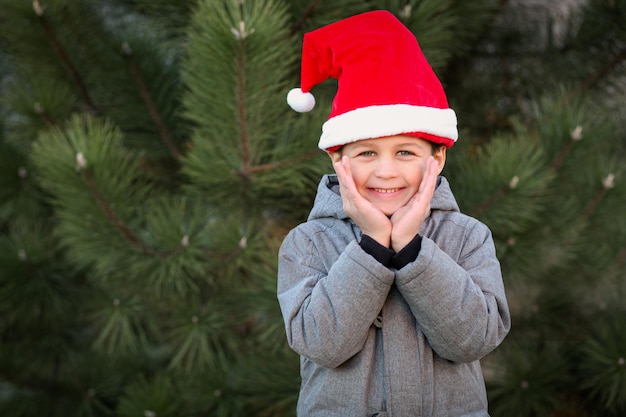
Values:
[(328, 200)]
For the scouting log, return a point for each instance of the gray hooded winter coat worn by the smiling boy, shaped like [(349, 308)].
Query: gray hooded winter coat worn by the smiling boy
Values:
[(395, 343)]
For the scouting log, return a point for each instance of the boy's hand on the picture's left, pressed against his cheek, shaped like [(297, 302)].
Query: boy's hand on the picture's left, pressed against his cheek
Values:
[(372, 221)]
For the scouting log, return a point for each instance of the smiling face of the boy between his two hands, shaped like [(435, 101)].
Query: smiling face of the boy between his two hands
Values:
[(388, 171)]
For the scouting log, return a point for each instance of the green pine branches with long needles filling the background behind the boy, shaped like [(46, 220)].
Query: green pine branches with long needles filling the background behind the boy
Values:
[(149, 168)]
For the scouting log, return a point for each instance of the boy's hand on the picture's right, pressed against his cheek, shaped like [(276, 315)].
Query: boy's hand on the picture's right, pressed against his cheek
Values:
[(407, 220)]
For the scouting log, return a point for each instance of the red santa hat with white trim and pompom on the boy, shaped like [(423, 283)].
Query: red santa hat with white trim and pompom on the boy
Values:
[(386, 86)]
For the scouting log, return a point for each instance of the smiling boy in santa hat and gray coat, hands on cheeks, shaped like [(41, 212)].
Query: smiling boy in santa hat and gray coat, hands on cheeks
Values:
[(389, 294)]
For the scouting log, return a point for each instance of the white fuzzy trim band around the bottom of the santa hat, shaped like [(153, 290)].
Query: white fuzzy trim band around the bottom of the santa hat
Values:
[(387, 120)]
